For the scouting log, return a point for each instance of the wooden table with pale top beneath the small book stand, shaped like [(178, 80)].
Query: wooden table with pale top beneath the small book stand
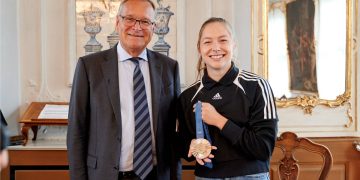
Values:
[(42, 159)]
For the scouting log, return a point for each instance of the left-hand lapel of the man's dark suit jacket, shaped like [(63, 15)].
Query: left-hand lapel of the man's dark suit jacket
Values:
[(110, 71)]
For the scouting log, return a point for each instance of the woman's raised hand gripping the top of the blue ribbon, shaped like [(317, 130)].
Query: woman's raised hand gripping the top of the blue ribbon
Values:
[(211, 116)]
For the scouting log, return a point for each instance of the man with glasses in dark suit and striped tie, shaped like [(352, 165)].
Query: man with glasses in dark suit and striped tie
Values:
[(103, 135)]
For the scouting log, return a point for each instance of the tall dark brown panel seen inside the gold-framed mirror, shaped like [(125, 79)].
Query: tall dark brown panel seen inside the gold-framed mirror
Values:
[(300, 15)]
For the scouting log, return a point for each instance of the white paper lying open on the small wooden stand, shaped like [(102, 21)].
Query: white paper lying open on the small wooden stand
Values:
[(51, 111)]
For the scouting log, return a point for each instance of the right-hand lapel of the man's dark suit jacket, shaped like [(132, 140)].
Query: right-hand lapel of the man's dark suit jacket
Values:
[(156, 84)]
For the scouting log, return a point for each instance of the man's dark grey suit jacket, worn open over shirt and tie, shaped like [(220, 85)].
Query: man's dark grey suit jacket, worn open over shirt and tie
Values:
[(94, 131)]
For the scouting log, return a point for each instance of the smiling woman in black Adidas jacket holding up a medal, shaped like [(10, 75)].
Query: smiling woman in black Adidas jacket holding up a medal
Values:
[(237, 107)]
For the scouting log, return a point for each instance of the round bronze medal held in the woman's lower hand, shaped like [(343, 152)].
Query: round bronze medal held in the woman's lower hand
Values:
[(201, 148)]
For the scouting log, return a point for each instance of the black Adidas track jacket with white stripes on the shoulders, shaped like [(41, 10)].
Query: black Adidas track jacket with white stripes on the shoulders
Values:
[(246, 142)]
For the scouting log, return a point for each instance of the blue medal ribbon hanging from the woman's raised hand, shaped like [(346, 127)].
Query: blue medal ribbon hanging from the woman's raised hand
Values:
[(201, 128)]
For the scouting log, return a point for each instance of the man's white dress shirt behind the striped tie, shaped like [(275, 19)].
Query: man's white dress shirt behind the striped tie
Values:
[(126, 71)]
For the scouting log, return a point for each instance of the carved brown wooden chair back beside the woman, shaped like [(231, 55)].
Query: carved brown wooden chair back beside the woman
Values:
[(289, 167)]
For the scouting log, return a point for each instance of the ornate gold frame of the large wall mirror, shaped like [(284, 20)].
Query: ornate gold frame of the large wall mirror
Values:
[(306, 101)]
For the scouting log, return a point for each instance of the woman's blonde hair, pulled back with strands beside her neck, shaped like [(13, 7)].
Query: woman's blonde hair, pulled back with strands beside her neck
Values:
[(200, 65)]
